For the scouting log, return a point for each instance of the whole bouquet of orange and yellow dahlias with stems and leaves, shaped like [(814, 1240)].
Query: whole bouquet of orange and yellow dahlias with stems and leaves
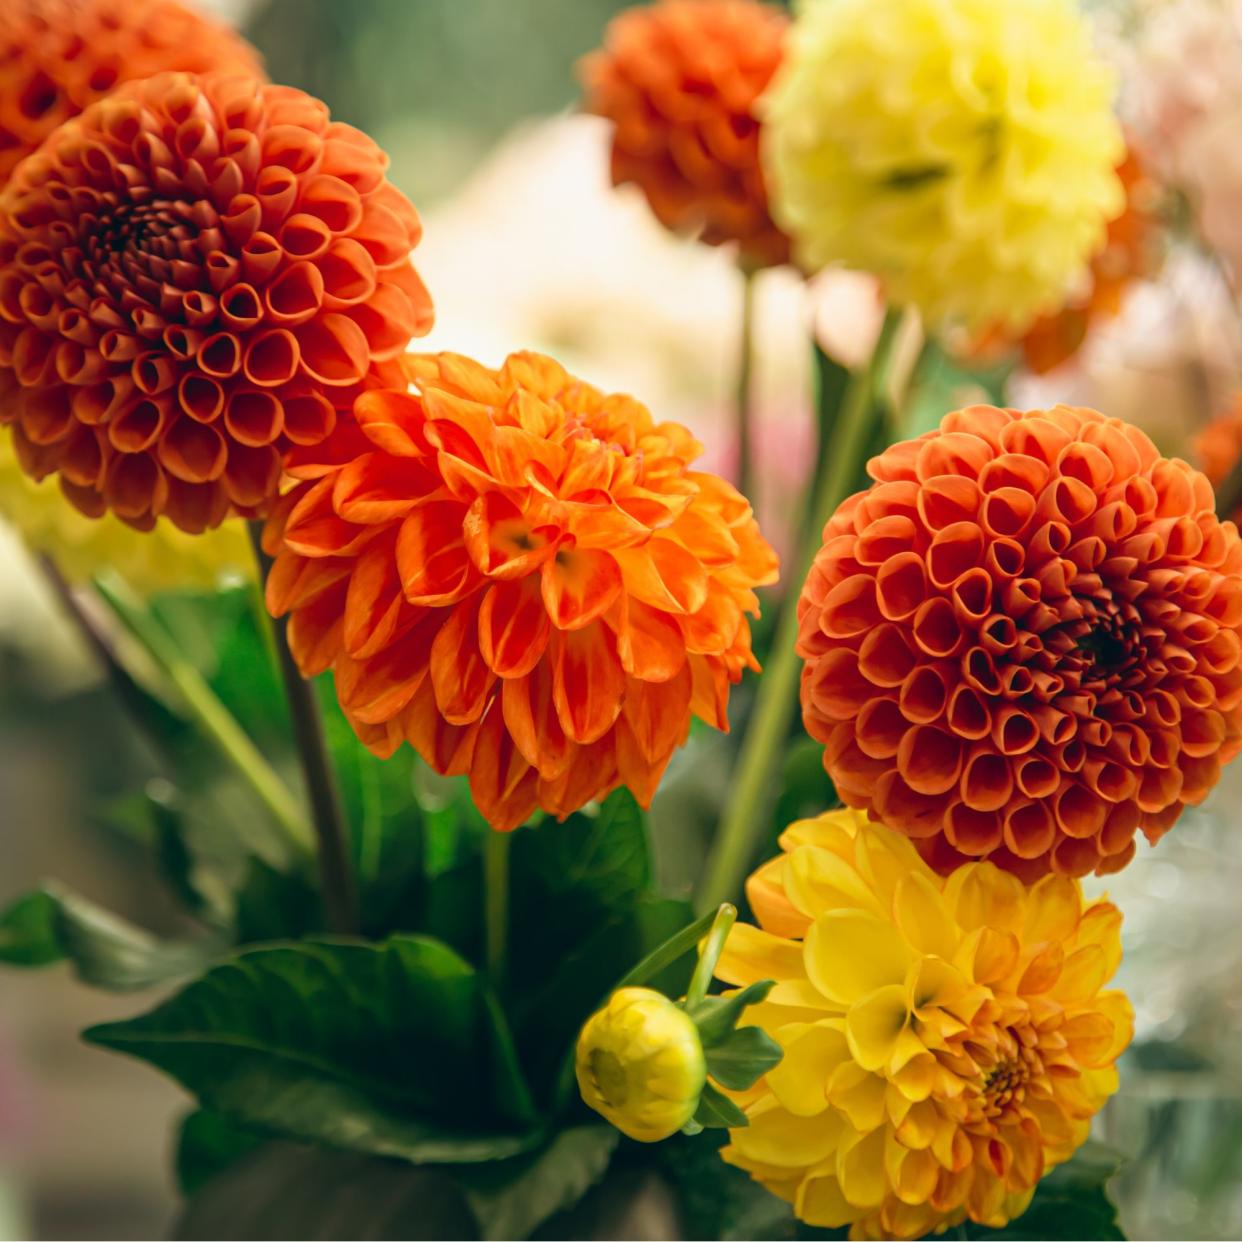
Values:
[(432, 982)]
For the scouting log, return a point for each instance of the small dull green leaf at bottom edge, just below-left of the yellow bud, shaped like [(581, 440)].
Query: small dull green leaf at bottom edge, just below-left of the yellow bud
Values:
[(511, 1199)]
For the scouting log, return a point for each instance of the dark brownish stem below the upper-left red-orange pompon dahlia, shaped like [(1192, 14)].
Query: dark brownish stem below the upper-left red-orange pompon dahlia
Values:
[(327, 814)]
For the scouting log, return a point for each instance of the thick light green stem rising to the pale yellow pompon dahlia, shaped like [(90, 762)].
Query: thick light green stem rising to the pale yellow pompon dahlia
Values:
[(758, 762)]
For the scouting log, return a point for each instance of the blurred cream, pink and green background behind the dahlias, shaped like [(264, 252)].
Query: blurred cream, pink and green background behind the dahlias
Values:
[(527, 245)]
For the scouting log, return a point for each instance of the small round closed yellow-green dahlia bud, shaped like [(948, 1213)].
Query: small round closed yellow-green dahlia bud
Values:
[(640, 1065)]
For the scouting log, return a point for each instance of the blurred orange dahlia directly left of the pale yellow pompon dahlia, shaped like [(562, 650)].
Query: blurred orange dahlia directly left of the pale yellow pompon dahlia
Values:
[(680, 81)]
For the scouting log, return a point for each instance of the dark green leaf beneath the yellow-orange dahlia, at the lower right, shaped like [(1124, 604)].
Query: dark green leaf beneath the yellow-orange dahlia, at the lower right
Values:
[(1070, 1203)]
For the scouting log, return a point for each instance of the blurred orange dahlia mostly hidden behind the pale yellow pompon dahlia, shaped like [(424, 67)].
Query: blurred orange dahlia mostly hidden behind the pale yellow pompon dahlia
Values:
[(1130, 254)]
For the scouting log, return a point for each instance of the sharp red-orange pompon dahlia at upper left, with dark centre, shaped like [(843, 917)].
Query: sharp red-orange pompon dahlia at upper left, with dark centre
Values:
[(197, 275)]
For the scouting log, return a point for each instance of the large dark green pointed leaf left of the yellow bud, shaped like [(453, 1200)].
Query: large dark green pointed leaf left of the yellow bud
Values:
[(396, 1049)]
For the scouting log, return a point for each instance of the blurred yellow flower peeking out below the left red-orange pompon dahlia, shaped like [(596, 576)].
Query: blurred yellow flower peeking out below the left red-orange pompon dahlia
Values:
[(166, 560)]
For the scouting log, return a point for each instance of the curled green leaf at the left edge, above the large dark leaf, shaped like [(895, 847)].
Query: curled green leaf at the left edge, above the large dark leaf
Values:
[(105, 951)]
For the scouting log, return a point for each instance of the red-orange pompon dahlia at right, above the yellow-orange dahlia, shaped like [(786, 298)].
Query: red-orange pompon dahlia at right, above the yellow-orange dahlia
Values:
[(1023, 641)]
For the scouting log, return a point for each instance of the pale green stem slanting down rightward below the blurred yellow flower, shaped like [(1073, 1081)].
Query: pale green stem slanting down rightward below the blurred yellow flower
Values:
[(209, 714)]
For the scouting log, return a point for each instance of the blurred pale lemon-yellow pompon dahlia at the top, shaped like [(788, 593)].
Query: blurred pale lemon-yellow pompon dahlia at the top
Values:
[(963, 151)]
